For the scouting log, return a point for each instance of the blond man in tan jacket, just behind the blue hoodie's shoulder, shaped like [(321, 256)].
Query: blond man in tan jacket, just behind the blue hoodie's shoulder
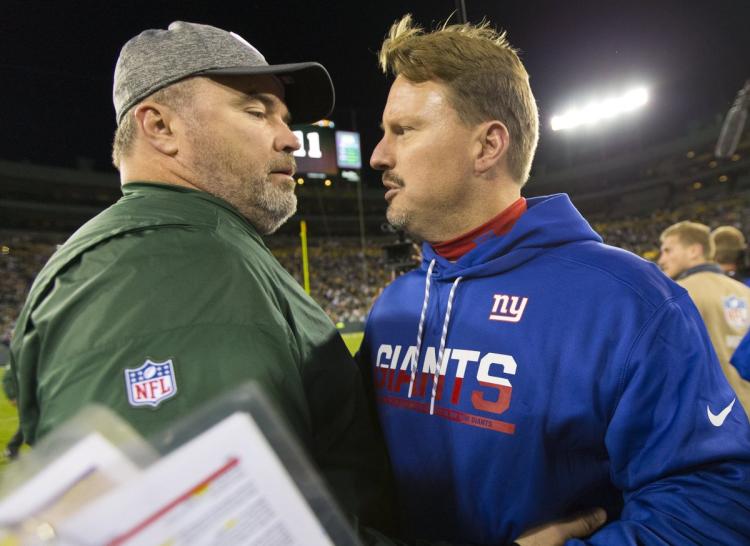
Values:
[(687, 249)]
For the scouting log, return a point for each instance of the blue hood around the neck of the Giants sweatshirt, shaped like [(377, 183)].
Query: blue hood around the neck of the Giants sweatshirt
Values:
[(550, 221)]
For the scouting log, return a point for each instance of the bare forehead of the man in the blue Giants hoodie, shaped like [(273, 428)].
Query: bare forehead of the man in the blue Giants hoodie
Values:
[(418, 99)]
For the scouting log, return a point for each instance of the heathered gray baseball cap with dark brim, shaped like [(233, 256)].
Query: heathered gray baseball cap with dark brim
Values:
[(157, 58)]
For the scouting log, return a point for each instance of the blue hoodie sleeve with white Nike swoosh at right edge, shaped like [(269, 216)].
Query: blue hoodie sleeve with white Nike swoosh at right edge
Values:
[(678, 440)]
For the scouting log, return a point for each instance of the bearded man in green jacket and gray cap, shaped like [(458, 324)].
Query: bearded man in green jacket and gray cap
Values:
[(170, 298)]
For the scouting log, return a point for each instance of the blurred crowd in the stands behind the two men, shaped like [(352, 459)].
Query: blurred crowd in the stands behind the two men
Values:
[(338, 280)]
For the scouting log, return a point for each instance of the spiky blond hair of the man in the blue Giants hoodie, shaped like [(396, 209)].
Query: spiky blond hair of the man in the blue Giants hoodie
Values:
[(482, 72)]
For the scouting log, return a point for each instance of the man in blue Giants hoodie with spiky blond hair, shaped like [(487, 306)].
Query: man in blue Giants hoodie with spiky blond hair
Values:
[(527, 370)]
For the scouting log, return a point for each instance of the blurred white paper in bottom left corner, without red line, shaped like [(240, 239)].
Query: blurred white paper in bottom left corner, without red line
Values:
[(92, 456)]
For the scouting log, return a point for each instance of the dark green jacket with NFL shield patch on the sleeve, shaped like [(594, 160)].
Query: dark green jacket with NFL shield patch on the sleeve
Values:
[(169, 274)]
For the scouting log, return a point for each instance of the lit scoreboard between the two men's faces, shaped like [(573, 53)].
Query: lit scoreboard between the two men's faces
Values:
[(326, 151)]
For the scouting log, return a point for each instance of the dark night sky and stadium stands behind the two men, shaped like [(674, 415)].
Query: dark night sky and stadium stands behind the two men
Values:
[(631, 177)]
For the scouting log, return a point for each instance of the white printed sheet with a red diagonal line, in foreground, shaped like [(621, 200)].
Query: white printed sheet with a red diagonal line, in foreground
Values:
[(224, 487)]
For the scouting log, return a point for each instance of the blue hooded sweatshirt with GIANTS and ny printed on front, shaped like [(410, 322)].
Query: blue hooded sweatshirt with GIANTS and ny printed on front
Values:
[(573, 375)]
